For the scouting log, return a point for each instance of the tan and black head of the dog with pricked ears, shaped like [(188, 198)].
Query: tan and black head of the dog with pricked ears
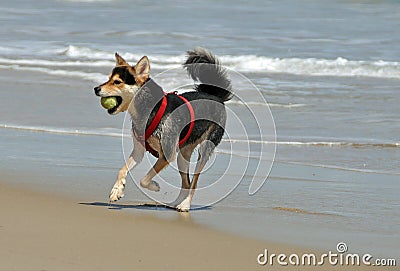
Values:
[(123, 83)]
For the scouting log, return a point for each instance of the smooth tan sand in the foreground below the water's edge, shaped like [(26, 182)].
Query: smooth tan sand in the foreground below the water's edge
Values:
[(48, 232)]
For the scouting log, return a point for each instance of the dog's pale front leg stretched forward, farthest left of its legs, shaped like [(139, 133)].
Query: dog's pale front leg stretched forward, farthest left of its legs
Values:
[(134, 159)]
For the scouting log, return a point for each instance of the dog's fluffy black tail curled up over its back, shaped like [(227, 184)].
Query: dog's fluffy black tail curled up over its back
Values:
[(204, 67)]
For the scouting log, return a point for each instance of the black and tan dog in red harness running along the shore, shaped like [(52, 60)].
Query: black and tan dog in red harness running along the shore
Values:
[(177, 133)]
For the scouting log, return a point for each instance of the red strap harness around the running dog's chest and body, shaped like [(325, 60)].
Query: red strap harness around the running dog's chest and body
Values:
[(157, 118)]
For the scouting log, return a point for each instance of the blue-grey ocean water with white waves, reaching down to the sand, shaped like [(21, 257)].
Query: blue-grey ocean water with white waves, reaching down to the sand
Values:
[(329, 71)]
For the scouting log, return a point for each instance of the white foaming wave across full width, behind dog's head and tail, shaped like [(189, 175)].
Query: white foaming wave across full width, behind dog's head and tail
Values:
[(77, 56)]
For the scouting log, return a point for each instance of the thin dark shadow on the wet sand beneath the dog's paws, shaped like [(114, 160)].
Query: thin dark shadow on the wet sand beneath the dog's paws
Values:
[(151, 206)]
